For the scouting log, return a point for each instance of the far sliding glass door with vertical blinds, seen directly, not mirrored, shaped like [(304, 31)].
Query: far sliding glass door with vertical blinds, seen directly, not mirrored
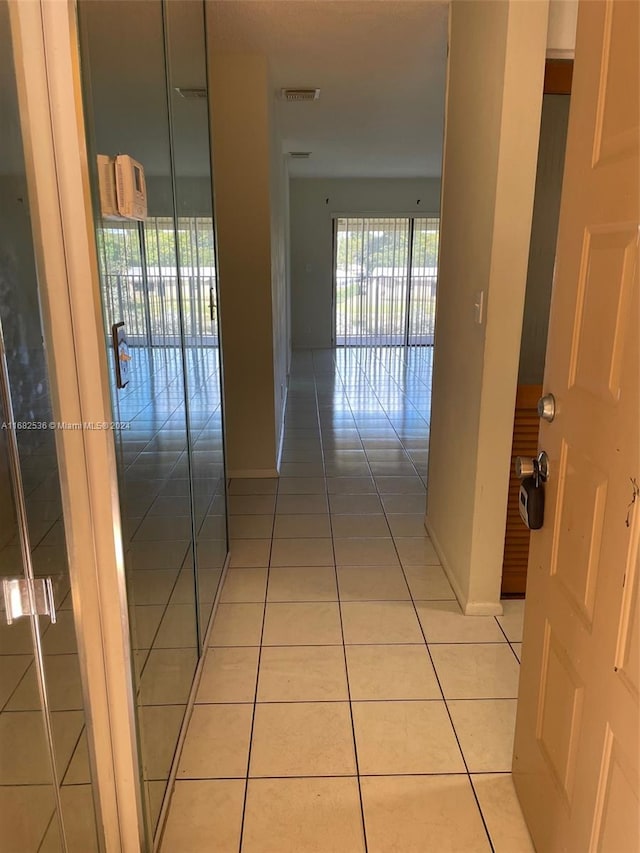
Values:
[(385, 275)]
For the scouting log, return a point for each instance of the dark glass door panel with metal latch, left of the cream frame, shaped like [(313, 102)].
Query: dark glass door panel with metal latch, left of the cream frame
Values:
[(46, 795)]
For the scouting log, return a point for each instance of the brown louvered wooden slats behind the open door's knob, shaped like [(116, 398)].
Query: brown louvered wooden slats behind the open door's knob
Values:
[(525, 443)]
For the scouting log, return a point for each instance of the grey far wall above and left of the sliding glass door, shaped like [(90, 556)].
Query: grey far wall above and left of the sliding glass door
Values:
[(314, 201)]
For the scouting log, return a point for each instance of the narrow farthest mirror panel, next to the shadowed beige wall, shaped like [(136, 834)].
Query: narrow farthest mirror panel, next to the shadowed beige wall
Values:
[(187, 75)]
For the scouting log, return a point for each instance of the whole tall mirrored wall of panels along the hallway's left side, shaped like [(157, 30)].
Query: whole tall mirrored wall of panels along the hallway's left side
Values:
[(148, 122)]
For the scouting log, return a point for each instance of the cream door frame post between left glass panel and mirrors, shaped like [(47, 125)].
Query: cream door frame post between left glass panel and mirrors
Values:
[(47, 67)]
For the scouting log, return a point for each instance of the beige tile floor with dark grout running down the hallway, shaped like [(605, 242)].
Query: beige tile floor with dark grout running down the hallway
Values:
[(346, 703)]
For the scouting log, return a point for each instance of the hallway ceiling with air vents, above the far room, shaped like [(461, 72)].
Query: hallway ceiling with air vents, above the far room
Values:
[(380, 66)]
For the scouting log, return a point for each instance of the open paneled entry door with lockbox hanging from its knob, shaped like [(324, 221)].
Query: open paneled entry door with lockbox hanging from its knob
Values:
[(576, 745)]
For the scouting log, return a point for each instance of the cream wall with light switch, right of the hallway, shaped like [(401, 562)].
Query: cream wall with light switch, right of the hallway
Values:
[(495, 81)]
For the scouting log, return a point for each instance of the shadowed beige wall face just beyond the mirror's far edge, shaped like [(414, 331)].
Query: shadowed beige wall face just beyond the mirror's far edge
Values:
[(242, 179)]
